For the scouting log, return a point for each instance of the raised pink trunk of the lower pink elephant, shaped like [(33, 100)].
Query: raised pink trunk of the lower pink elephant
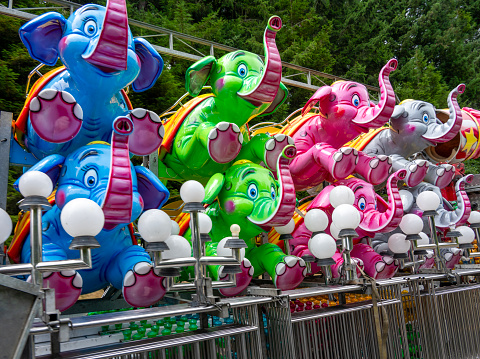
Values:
[(387, 221)]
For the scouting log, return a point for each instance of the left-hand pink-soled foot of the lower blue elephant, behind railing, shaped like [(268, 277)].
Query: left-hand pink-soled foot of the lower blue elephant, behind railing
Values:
[(67, 284)]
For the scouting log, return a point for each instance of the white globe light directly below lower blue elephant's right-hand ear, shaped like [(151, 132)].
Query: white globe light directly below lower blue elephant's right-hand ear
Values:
[(155, 225)]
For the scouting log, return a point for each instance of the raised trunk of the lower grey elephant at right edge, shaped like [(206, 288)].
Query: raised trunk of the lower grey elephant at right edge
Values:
[(459, 216)]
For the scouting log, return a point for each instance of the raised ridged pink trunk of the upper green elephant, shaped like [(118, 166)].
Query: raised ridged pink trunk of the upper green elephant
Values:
[(267, 87)]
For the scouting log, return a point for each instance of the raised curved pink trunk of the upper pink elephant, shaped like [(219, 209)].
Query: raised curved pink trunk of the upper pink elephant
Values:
[(378, 115)]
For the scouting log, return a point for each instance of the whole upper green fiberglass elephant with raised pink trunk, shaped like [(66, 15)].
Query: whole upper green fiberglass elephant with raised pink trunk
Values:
[(203, 137)]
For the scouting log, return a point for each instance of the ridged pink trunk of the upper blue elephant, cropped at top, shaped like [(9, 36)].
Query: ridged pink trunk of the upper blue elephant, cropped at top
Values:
[(110, 52)]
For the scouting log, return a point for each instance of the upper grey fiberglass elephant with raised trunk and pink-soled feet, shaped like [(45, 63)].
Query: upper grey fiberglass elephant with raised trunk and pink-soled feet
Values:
[(413, 128)]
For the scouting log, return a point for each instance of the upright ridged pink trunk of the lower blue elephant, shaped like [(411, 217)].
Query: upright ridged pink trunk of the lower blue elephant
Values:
[(118, 202)]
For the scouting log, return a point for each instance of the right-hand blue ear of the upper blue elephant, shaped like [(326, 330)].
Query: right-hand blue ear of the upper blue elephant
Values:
[(151, 65)]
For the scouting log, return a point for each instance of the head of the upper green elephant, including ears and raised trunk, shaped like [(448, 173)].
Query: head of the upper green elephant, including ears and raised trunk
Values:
[(244, 85)]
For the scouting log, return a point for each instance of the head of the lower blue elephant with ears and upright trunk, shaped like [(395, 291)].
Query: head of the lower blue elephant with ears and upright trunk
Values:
[(104, 174)]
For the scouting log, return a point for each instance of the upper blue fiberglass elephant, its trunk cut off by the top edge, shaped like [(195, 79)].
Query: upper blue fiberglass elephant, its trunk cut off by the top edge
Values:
[(76, 104)]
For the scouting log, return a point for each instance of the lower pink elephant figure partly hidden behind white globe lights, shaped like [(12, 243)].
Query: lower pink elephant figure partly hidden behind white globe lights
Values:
[(376, 216)]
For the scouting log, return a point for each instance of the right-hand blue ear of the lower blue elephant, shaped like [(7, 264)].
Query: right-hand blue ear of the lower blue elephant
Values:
[(152, 190)]
